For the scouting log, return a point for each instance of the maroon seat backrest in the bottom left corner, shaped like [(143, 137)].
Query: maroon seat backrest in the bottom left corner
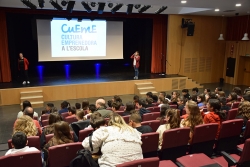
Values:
[(27, 159)]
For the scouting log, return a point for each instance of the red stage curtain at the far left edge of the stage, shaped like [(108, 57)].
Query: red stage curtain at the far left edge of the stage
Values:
[(5, 73)]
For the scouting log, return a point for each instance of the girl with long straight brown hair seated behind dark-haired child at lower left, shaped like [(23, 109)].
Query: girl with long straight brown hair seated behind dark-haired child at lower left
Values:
[(62, 135)]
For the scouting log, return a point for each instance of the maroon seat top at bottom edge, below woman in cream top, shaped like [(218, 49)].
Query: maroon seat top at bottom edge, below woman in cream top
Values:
[(147, 162)]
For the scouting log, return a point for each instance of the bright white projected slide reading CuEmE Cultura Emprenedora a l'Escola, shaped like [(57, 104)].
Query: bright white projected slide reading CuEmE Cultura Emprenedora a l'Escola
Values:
[(78, 39)]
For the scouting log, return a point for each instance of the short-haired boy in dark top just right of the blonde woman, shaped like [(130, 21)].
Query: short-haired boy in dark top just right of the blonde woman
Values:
[(135, 122)]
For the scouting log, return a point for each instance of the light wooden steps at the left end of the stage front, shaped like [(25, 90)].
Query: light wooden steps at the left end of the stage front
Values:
[(35, 98)]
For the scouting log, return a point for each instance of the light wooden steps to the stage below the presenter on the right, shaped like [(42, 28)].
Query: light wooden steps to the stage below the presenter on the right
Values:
[(142, 88)]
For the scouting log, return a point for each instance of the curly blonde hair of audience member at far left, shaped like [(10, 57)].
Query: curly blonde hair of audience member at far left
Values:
[(26, 125)]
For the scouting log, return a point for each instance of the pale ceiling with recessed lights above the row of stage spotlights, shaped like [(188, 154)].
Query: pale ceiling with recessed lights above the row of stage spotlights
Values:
[(193, 7)]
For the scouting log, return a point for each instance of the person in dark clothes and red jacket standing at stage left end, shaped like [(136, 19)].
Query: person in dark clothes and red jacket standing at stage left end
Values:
[(23, 65)]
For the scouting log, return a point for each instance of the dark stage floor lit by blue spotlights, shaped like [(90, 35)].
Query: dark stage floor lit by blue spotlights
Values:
[(82, 79)]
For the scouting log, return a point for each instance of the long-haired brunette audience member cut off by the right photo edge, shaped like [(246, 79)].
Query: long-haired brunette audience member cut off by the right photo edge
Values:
[(244, 112)]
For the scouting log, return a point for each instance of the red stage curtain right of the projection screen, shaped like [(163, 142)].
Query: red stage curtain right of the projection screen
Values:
[(159, 44)]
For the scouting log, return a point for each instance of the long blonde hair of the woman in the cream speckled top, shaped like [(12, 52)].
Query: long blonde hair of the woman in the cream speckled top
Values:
[(118, 121)]
